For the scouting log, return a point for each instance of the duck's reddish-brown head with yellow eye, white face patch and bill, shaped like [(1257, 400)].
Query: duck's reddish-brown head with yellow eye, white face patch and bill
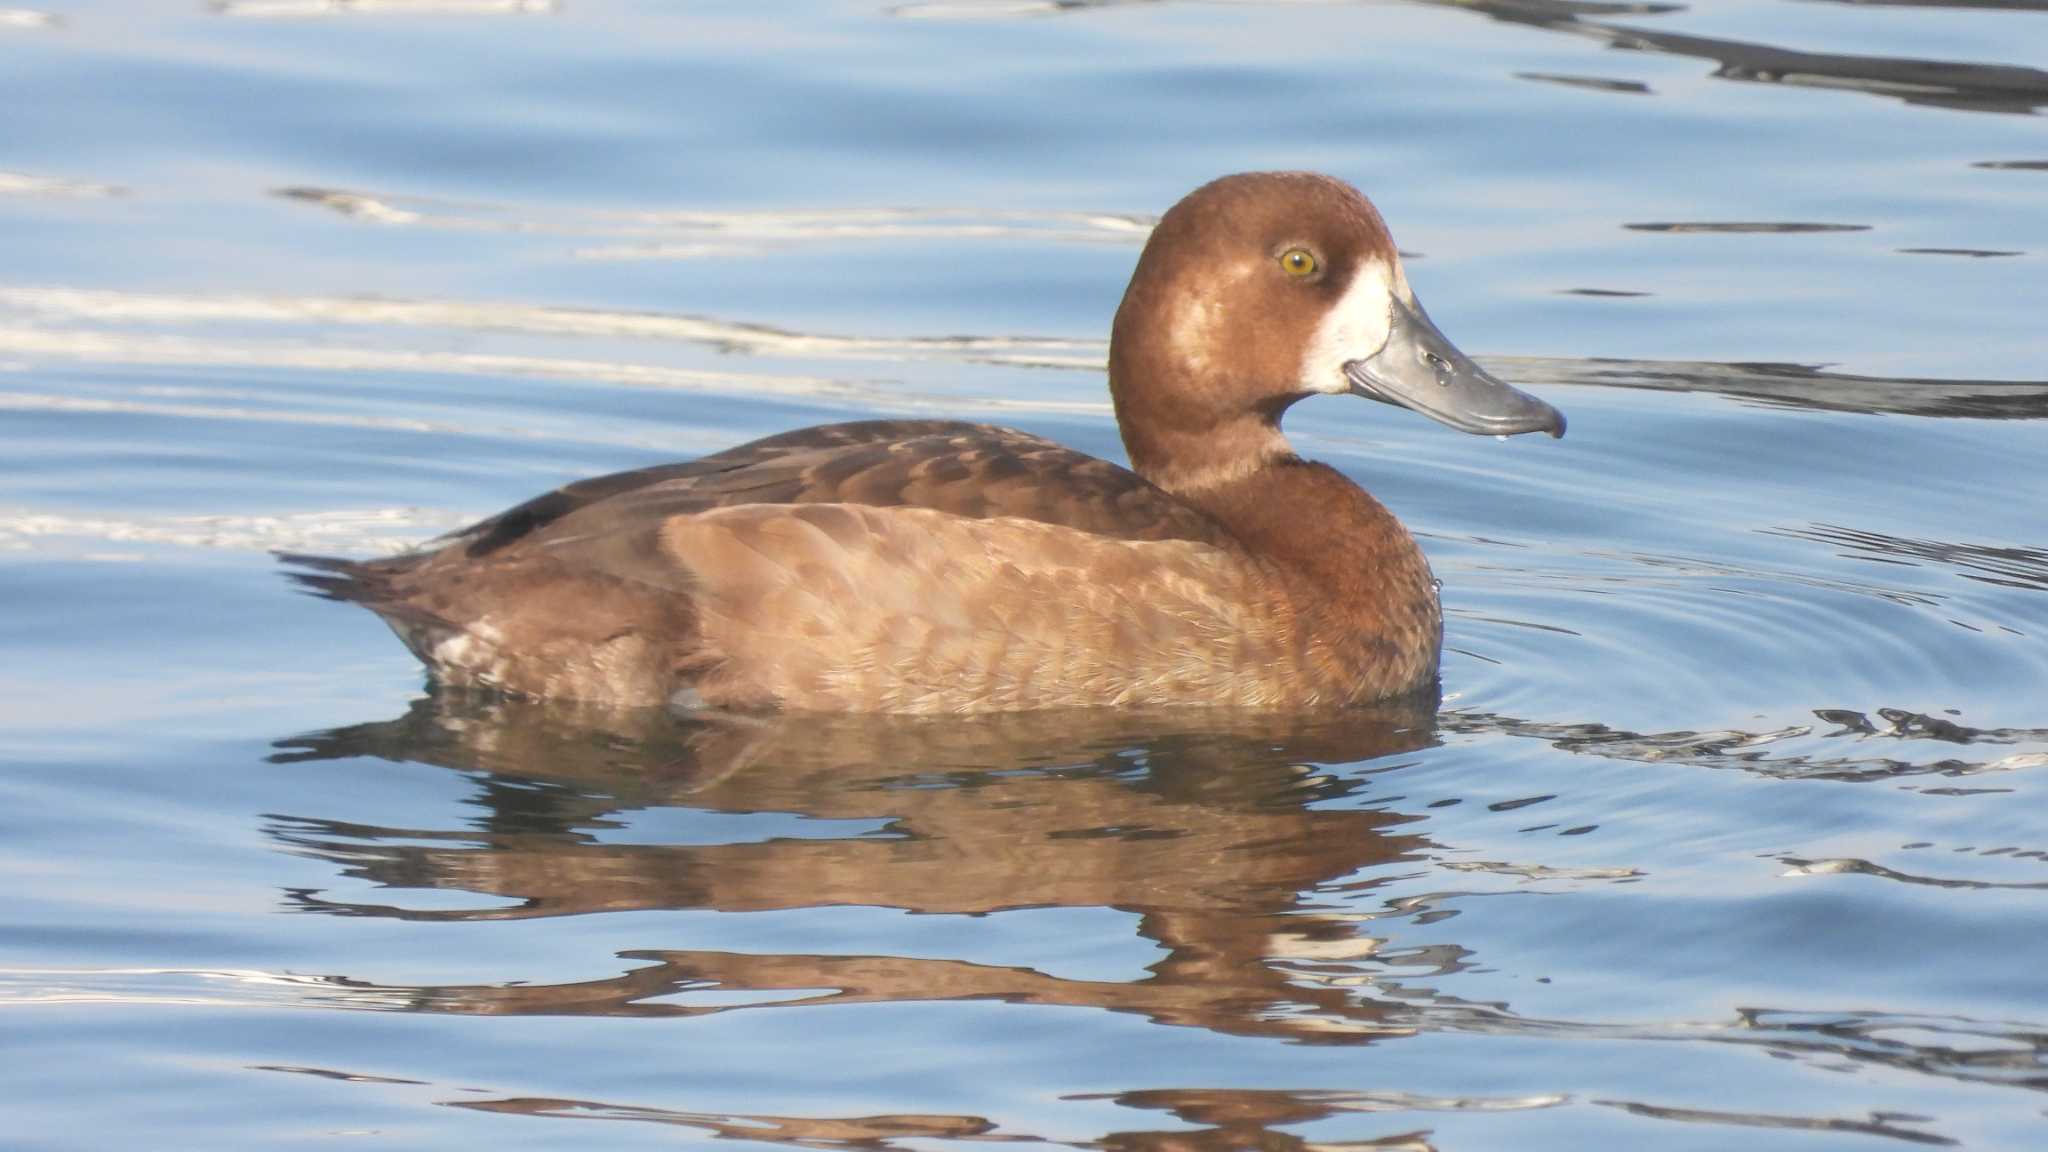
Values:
[(1261, 290)]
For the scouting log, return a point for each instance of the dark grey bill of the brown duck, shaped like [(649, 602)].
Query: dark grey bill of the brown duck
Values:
[(1420, 370)]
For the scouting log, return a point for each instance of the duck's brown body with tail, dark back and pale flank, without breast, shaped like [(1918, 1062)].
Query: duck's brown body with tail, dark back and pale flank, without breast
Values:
[(904, 567)]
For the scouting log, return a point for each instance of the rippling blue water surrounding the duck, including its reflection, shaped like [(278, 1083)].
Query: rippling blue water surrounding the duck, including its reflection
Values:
[(1730, 831)]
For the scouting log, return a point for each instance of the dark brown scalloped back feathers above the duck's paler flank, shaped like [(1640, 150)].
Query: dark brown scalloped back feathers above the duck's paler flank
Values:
[(968, 470)]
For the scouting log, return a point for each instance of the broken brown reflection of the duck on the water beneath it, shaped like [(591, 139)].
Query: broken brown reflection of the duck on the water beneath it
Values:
[(1218, 831)]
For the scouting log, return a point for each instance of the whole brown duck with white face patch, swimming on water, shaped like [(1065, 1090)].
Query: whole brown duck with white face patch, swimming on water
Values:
[(943, 567)]
